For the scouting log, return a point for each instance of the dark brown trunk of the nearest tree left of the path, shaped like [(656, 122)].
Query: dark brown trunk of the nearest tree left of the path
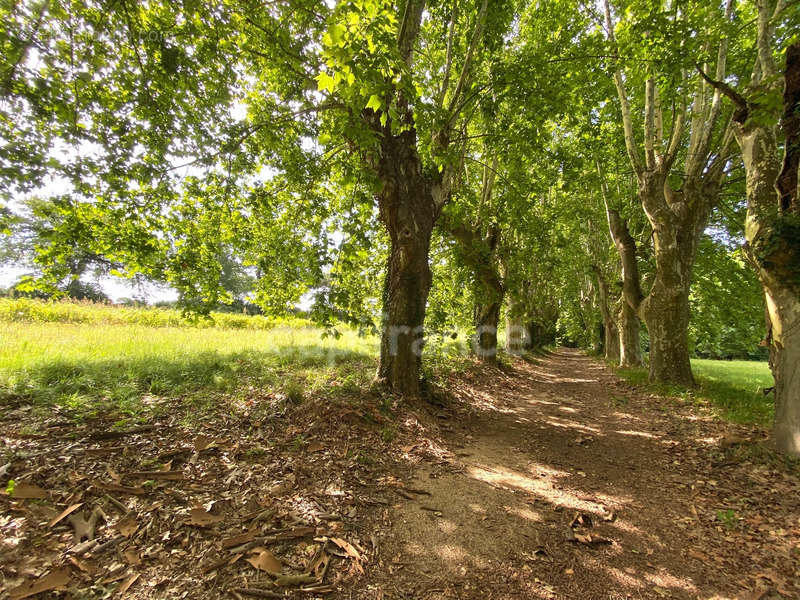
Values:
[(408, 211)]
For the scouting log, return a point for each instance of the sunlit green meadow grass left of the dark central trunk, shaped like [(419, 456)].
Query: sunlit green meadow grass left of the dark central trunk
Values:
[(91, 370)]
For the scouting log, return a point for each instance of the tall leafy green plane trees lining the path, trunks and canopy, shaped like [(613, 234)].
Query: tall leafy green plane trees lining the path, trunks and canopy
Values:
[(563, 163)]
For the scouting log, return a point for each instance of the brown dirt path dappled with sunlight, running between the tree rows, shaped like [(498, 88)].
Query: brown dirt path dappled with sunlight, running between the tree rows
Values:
[(560, 441)]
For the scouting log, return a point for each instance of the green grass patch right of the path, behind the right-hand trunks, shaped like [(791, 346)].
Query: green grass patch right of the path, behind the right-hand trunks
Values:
[(734, 388)]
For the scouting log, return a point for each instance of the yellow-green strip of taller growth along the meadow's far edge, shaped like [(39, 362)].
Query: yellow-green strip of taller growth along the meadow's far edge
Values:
[(27, 310)]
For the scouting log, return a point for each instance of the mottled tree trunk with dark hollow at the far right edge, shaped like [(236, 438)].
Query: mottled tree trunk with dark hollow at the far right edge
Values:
[(772, 230)]
